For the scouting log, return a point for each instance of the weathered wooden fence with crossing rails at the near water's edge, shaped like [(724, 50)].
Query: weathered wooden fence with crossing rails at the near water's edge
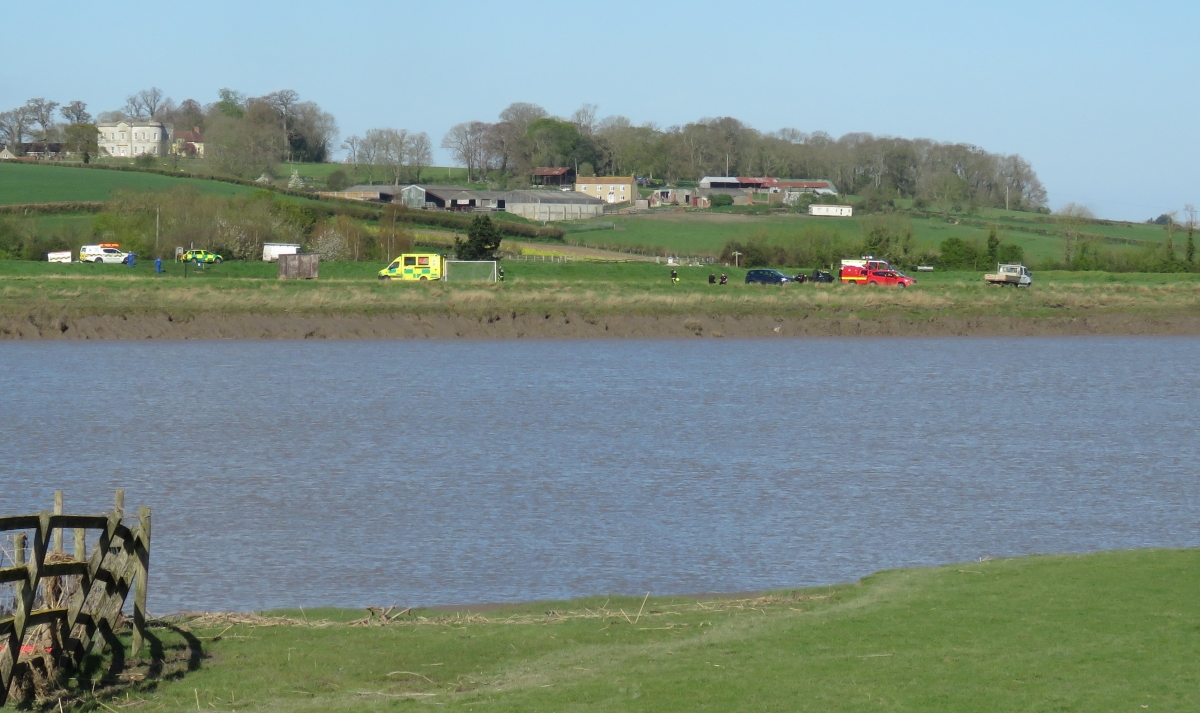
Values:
[(64, 607)]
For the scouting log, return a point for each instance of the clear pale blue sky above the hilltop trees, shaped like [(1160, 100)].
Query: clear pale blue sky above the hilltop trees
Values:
[(1101, 98)]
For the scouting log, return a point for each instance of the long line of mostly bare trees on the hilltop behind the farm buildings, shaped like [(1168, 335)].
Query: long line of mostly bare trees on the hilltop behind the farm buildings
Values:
[(880, 169)]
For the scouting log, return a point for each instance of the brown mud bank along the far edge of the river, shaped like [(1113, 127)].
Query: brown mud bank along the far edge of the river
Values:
[(568, 326)]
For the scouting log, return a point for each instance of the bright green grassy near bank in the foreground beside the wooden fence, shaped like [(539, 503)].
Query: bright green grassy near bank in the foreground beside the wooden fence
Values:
[(1106, 632)]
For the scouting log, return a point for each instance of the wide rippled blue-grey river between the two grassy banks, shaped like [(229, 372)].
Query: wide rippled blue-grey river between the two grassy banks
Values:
[(447, 472)]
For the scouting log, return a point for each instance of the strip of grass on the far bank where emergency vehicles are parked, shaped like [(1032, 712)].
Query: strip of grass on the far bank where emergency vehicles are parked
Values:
[(580, 289)]
